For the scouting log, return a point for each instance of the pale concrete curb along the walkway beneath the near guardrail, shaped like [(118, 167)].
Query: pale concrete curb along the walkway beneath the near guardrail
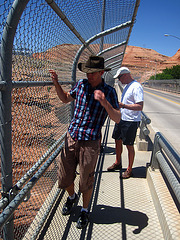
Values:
[(166, 209)]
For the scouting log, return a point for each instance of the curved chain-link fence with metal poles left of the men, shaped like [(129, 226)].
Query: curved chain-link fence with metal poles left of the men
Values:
[(36, 36)]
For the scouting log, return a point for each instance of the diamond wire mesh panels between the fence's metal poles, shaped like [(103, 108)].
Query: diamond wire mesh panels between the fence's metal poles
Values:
[(39, 118)]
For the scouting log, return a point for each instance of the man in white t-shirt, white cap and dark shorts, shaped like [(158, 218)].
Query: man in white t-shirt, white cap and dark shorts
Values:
[(125, 131)]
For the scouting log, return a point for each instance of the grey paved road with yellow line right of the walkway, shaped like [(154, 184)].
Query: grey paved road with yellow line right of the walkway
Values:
[(163, 109)]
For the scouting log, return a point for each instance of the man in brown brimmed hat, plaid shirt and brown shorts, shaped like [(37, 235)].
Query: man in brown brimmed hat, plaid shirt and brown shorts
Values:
[(94, 101)]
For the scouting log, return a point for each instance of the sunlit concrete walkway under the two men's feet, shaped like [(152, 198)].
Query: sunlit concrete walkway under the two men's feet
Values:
[(120, 209)]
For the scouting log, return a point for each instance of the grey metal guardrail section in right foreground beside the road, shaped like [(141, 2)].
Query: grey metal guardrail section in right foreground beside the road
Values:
[(166, 158)]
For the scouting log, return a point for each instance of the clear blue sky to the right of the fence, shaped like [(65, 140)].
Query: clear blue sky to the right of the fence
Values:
[(154, 19)]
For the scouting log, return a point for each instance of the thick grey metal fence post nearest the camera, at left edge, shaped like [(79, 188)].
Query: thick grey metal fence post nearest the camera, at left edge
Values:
[(5, 104)]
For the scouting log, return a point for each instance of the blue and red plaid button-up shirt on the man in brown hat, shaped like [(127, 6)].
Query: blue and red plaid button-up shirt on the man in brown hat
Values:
[(89, 115)]
